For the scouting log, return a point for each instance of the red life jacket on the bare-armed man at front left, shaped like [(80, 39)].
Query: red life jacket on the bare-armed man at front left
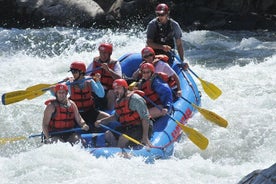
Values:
[(63, 117)]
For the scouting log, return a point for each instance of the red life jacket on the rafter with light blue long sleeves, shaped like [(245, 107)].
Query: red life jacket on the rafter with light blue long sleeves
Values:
[(82, 97)]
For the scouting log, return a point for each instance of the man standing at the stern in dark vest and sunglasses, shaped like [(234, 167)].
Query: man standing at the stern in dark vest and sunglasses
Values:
[(163, 33)]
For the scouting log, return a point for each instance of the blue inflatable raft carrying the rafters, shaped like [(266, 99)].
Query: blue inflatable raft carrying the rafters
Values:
[(165, 130)]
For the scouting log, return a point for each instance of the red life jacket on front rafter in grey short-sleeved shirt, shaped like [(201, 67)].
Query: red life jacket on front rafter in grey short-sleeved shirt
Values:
[(127, 116)]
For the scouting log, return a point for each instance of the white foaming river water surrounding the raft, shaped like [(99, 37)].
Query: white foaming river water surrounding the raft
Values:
[(242, 64)]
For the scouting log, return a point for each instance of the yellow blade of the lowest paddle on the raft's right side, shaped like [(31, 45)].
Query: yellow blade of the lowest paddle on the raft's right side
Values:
[(197, 138)]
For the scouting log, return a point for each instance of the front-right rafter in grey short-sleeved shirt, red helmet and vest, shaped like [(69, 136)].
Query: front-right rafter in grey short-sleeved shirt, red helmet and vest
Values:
[(132, 113)]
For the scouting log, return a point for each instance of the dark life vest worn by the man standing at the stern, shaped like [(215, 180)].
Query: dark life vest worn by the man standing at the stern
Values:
[(163, 35)]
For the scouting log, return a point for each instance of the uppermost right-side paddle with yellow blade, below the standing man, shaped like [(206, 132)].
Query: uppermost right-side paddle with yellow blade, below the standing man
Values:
[(210, 89)]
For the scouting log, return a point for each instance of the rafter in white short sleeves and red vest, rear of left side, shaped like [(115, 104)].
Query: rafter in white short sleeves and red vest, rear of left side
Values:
[(110, 70)]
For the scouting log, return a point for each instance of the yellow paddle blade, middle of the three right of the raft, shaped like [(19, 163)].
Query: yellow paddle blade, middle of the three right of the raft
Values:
[(211, 116)]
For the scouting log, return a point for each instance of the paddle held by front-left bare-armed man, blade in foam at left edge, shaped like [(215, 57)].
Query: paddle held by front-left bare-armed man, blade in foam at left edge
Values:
[(12, 139)]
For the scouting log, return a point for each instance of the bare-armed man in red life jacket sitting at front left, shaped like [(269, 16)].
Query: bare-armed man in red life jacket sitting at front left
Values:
[(61, 114)]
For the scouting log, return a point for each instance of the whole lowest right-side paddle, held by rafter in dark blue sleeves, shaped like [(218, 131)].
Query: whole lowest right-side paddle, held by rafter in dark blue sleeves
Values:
[(197, 138)]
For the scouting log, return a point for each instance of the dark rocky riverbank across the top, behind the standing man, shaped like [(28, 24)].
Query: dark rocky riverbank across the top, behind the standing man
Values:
[(191, 14)]
